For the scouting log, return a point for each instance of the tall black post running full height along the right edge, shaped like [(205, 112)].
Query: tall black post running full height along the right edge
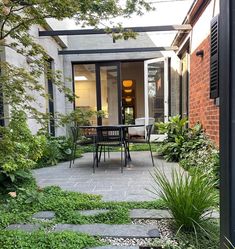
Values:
[(227, 121)]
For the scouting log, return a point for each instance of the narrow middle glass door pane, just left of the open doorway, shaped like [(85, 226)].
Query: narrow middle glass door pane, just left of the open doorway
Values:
[(109, 93)]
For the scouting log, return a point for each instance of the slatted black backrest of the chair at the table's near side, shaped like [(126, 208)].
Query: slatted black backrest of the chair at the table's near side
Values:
[(109, 134)]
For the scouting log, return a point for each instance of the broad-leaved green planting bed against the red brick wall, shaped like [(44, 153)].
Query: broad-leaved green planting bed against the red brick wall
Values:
[(190, 147)]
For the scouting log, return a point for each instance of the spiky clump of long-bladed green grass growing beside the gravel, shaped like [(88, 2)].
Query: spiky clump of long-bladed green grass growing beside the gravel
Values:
[(187, 197)]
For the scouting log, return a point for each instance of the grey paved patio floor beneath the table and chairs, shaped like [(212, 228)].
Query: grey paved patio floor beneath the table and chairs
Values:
[(107, 180)]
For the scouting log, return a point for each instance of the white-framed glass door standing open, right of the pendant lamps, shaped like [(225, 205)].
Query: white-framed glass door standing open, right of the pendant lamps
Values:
[(156, 90)]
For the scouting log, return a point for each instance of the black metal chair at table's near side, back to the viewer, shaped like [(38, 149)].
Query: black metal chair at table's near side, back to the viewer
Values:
[(109, 136)]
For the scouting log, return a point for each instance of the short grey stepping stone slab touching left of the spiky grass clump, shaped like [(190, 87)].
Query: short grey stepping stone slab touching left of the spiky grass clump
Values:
[(150, 214)]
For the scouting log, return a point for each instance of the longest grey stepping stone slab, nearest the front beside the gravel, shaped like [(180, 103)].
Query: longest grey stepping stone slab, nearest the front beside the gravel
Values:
[(118, 231)]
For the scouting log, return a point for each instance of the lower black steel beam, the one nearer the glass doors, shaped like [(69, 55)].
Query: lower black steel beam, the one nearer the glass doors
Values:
[(117, 50)]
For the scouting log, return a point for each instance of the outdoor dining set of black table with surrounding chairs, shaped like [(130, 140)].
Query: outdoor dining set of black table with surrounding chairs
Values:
[(103, 138)]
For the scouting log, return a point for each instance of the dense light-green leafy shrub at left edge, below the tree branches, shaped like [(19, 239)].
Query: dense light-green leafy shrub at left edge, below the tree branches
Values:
[(19, 149)]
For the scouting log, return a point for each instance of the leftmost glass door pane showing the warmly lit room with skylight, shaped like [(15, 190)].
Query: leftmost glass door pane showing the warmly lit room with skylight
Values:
[(85, 88)]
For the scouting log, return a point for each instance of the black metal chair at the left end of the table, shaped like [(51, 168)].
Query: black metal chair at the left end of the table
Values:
[(80, 137)]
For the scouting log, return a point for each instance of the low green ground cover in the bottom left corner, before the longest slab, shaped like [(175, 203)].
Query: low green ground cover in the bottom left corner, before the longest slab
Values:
[(45, 240)]
